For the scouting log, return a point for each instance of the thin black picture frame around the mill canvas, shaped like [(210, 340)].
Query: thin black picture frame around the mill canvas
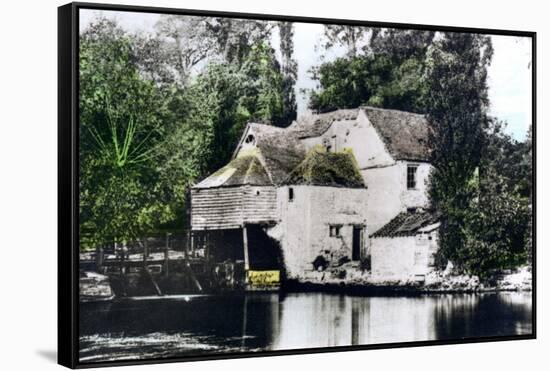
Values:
[(68, 188)]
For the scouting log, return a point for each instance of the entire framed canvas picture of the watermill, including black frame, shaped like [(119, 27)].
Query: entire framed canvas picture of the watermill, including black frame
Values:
[(236, 185)]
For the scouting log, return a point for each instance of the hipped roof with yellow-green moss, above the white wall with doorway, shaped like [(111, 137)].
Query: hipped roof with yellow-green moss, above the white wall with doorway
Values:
[(327, 169)]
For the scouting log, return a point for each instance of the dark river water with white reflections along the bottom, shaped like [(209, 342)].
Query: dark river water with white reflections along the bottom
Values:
[(187, 325)]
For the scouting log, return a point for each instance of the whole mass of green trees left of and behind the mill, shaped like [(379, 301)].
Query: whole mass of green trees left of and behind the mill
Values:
[(149, 128)]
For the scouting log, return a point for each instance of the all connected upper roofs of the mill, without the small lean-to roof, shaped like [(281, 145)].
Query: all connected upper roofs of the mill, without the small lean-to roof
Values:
[(280, 151)]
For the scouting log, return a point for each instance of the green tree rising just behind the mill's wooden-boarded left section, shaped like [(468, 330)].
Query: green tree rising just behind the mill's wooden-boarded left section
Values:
[(234, 95)]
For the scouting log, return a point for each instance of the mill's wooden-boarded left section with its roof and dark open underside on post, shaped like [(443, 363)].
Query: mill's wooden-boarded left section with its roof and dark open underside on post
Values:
[(233, 208)]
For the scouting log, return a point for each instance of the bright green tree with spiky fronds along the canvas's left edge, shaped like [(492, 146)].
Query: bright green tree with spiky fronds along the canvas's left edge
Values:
[(128, 134)]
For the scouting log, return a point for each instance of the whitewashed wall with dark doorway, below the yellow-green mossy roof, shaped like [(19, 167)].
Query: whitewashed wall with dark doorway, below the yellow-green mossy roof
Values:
[(304, 223)]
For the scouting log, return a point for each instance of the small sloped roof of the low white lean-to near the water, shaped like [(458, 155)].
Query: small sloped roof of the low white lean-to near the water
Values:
[(407, 224)]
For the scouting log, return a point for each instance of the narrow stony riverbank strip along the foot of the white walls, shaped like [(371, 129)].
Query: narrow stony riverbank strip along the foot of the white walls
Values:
[(350, 279)]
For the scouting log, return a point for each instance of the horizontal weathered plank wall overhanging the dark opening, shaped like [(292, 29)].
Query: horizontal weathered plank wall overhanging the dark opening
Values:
[(231, 207)]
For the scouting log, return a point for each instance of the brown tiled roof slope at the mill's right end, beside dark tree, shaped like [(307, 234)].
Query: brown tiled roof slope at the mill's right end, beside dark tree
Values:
[(405, 134)]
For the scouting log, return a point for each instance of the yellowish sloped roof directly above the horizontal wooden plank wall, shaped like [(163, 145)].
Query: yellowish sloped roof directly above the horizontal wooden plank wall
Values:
[(242, 170)]
